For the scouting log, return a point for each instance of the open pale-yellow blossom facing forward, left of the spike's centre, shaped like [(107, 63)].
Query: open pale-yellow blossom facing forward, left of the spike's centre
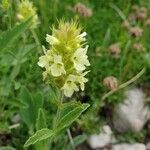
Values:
[(57, 68)]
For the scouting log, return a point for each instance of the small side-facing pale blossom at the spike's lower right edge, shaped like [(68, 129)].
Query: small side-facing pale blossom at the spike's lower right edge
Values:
[(82, 80)]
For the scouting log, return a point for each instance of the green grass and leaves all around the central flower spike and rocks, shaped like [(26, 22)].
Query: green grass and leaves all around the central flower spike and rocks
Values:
[(21, 78)]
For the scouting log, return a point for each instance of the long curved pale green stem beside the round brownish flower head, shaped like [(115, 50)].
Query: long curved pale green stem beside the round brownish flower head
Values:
[(124, 84)]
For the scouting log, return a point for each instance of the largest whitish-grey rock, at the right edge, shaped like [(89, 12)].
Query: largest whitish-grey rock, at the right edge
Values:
[(132, 114)]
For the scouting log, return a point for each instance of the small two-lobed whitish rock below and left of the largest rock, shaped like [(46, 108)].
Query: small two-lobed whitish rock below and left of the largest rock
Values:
[(102, 139)]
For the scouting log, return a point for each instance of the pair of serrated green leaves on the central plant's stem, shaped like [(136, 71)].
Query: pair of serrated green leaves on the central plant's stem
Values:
[(69, 112)]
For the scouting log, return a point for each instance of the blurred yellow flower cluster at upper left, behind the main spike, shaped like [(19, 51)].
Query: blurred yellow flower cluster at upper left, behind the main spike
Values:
[(25, 11)]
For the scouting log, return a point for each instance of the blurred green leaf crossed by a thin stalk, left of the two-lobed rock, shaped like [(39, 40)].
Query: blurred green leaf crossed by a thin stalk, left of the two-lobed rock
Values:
[(77, 141)]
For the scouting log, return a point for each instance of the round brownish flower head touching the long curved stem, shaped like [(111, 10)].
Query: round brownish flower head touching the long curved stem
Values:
[(110, 83)]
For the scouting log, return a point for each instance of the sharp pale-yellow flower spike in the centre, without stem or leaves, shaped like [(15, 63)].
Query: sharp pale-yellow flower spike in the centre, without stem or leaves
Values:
[(65, 61)]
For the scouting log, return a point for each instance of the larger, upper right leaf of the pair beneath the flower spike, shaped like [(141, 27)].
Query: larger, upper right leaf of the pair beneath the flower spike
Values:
[(70, 114)]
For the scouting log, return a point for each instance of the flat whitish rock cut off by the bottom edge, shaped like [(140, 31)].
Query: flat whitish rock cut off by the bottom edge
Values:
[(124, 146)]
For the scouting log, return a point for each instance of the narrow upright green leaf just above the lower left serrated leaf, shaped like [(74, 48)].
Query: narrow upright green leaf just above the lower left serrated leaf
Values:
[(41, 120)]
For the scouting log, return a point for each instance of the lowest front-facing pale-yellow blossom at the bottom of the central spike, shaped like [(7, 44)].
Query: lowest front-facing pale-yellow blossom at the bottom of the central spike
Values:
[(70, 86)]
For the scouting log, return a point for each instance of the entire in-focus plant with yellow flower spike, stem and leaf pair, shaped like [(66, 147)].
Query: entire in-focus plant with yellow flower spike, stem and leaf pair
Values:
[(64, 64)]
